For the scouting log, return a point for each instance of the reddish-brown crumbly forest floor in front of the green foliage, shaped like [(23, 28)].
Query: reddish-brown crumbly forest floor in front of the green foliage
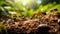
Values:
[(48, 24)]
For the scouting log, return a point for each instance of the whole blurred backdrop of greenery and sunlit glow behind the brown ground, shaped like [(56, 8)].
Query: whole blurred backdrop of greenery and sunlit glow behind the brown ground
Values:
[(25, 8)]
